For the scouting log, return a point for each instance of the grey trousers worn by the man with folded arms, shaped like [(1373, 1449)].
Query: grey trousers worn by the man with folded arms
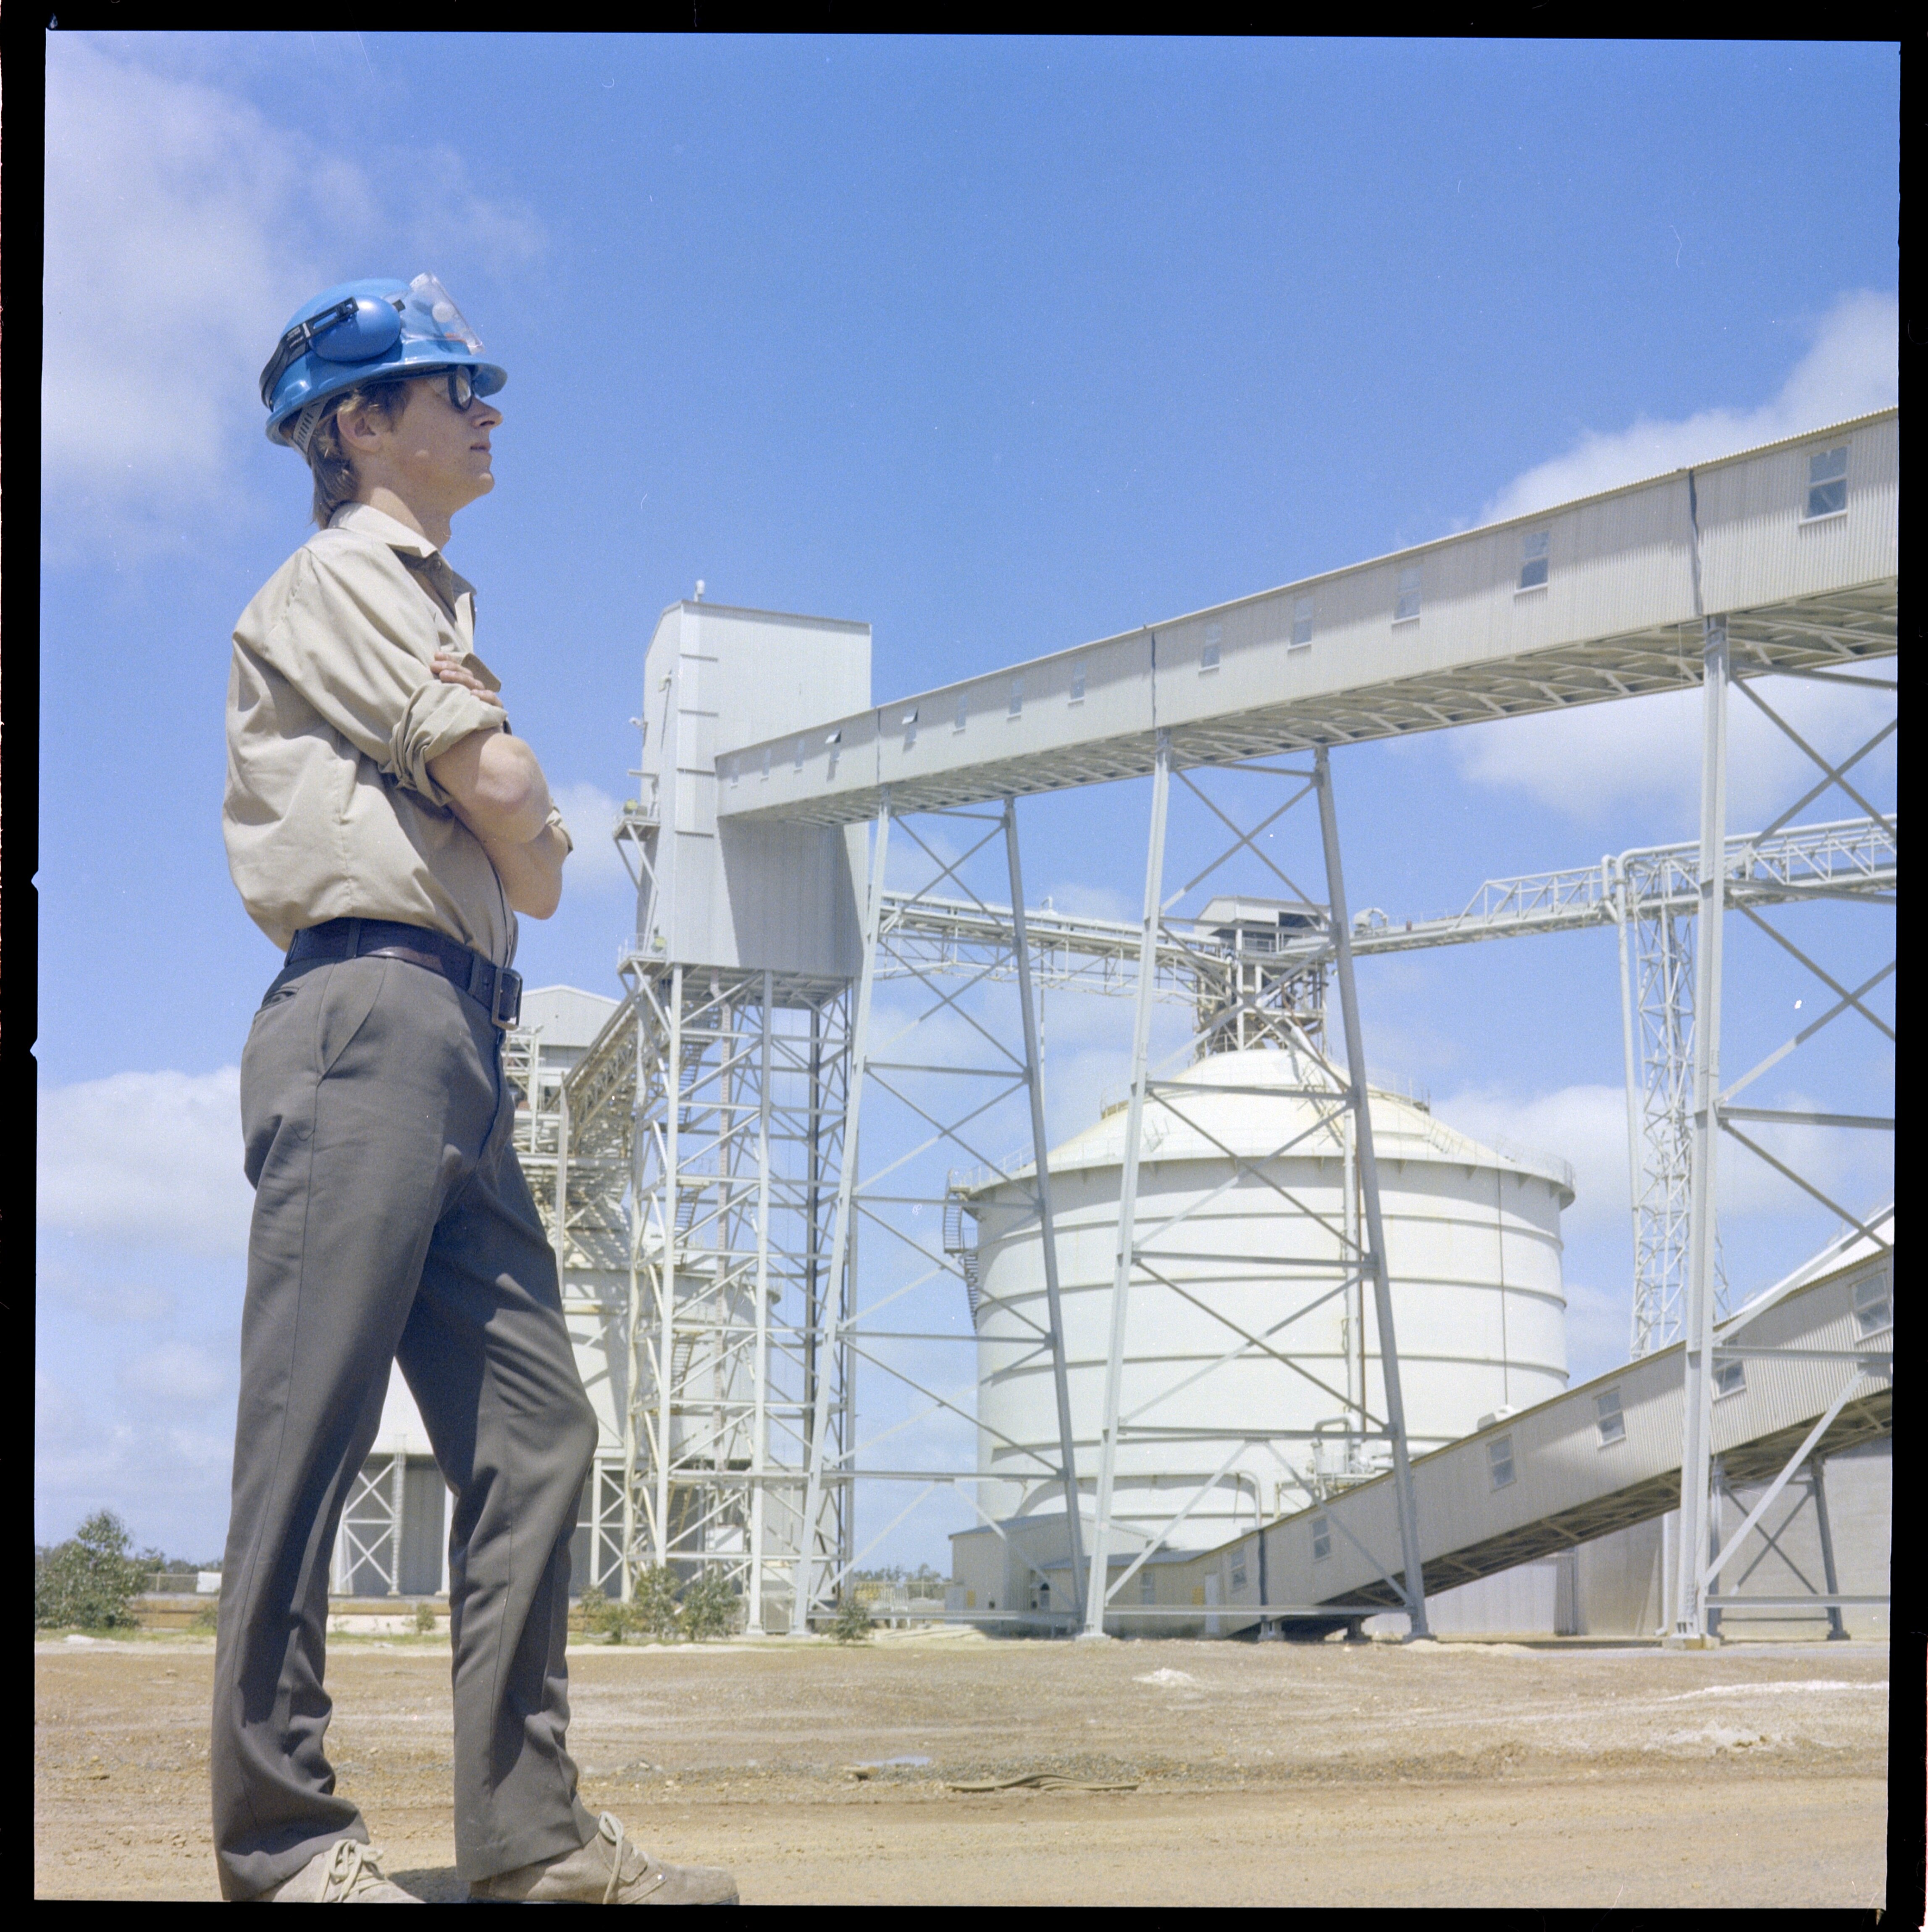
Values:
[(393, 1224)]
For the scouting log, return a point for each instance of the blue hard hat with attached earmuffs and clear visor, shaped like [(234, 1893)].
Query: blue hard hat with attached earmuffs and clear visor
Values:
[(362, 331)]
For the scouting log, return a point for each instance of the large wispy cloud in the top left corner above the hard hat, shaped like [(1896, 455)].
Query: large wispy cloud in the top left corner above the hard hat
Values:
[(183, 229)]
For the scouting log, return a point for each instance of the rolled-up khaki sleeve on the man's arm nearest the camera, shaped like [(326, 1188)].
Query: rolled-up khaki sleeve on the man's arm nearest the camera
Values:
[(356, 639)]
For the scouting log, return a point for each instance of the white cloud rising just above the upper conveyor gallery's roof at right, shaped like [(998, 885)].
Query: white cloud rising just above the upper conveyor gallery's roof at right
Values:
[(1852, 370)]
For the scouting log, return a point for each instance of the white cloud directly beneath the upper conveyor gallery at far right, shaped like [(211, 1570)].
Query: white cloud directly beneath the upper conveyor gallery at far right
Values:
[(1647, 751)]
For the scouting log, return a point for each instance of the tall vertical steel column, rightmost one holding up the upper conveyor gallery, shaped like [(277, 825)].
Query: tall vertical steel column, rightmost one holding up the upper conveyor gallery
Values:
[(1697, 1431)]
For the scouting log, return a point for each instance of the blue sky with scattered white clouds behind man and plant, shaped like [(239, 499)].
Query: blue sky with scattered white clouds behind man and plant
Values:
[(994, 345)]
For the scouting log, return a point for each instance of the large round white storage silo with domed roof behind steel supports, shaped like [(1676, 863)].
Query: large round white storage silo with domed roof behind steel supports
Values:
[(1475, 1261)]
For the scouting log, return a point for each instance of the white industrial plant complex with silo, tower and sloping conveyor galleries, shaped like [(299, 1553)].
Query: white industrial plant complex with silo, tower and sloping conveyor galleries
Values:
[(1257, 1305)]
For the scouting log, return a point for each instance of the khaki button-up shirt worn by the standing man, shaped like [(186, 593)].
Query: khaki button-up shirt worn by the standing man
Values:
[(333, 720)]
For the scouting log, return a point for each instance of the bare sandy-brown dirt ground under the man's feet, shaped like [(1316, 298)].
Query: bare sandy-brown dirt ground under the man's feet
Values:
[(1280, 1775)]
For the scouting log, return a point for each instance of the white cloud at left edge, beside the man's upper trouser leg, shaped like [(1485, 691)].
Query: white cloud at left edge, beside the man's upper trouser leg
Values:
[(146, 1158)]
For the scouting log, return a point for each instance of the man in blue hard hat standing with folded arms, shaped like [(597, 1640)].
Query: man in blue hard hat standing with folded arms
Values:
[(387, 830)]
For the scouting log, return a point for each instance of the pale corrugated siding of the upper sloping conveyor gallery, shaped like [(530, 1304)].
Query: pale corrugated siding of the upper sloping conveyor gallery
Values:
[(1620, 569)]
